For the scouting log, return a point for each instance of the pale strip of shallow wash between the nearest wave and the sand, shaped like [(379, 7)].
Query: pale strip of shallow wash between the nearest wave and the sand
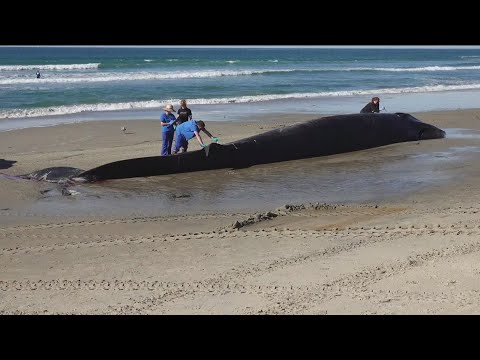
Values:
[(249, 111)]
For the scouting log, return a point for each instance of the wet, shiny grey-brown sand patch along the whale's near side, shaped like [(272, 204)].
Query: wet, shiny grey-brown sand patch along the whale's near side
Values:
[(376, 175)]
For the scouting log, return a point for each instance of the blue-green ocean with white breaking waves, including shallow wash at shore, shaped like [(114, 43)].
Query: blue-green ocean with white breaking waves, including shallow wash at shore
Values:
[(228, 83)]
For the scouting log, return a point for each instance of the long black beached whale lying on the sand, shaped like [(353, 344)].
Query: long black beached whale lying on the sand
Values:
[(324, 136)]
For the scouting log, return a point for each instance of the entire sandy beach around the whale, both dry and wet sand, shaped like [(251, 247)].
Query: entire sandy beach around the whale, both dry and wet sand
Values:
[(411, 251)]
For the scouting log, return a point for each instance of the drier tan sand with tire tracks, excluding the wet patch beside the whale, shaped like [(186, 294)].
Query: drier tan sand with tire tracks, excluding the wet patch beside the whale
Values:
[(417, 255)]
